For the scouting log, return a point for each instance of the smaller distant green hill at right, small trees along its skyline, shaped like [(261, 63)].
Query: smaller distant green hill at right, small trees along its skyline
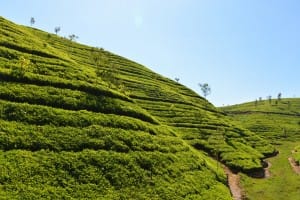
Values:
[(274, 119)]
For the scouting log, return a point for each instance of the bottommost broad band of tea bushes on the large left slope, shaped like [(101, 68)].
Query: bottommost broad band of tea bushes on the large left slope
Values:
[(103, 174)]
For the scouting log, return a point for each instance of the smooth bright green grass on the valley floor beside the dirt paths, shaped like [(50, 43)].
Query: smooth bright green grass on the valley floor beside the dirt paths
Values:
[(283, 183)]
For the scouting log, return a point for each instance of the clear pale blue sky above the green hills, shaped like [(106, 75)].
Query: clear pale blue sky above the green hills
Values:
[(244, 49)]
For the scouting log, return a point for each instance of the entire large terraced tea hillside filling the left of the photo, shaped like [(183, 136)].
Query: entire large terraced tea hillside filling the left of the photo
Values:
[(81, 122)]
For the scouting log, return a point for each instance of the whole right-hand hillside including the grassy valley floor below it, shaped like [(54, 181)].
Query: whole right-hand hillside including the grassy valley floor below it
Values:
[(278, 121)]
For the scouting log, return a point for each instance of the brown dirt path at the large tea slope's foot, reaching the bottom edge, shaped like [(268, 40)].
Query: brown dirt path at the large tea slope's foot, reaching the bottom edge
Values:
[(234, 184)]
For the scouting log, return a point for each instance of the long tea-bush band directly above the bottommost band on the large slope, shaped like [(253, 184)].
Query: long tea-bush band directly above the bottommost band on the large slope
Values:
[(14, 135)]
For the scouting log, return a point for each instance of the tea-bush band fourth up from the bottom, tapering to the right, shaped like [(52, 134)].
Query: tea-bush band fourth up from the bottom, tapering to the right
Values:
[(71, 100)]
